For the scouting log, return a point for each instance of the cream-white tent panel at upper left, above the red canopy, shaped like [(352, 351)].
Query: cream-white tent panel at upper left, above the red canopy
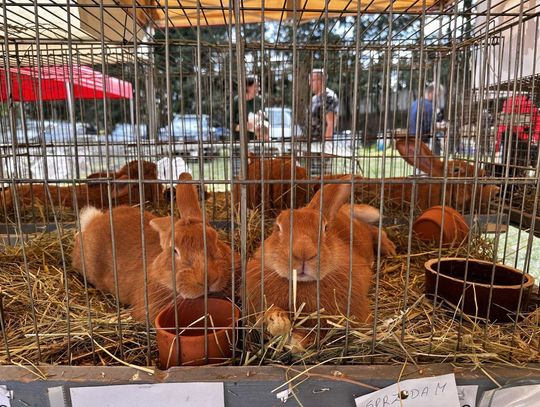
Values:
[(61, 32)]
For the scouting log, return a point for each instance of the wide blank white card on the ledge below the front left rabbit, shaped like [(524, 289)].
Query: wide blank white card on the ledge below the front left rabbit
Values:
[(146, 395)]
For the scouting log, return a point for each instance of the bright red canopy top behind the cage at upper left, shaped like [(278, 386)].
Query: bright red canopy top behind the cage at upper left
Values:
[(87, 84)]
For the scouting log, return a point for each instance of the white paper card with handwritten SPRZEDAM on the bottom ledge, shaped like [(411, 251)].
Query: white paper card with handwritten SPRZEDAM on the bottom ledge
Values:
[(437, 391)]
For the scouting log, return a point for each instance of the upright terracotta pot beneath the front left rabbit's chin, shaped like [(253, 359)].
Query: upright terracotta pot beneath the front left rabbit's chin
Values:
[(192, 333)]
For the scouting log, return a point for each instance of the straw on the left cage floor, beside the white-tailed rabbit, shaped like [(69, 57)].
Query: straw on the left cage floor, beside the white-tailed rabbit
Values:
[(42, 335)]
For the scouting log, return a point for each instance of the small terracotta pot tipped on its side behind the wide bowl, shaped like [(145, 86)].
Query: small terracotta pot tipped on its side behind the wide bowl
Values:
[(428, 226)]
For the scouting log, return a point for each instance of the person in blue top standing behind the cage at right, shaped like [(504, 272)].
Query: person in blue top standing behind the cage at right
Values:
[(425, 123)]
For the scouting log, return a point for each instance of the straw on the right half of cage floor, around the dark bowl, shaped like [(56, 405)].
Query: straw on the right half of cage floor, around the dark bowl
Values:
[(413, 331)]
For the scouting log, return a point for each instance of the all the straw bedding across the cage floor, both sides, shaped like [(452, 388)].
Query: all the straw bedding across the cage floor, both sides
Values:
[(409, 328)]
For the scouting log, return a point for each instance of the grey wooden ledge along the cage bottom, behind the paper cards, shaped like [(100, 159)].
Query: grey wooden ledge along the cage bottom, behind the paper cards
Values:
[(249, 386)]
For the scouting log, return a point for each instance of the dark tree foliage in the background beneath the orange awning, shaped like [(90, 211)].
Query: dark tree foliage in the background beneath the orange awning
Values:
[(318, 43)]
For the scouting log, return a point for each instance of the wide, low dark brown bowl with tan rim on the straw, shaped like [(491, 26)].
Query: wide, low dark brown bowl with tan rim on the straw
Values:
[(505, 292)]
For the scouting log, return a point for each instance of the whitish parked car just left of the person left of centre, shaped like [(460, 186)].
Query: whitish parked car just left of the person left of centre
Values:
[(188, 127)]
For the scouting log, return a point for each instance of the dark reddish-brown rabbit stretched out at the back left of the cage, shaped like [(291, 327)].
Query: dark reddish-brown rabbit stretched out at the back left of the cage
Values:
[(94, 193)]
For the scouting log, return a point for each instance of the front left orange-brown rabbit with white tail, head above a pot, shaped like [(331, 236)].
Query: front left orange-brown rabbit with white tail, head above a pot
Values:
[(186, 246)]
